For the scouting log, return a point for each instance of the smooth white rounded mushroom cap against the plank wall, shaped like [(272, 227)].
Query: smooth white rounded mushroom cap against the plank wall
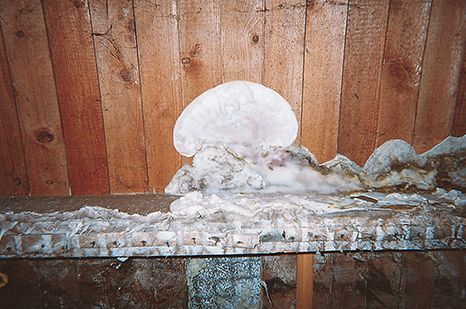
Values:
[(237, 112)]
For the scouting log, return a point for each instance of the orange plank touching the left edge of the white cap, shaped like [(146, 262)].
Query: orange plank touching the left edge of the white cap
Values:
[(157, 38)]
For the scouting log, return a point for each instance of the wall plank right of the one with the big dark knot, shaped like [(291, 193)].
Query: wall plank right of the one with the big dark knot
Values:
[(440, 73)]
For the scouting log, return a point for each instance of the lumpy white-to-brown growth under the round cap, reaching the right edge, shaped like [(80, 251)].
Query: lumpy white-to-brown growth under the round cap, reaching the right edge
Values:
[(395, 165)]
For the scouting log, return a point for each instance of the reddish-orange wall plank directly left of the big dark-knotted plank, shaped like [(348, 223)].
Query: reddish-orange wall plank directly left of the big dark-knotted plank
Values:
[(365, 38)]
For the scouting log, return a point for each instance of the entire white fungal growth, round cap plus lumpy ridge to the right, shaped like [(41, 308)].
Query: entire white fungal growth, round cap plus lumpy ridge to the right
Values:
[(241, 136)]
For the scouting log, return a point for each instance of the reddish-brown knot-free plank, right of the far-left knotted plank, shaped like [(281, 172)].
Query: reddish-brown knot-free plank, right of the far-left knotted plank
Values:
[(74, 63)]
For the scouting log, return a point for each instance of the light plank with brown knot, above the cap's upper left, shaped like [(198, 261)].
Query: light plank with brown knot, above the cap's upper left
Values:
[(200, 46)]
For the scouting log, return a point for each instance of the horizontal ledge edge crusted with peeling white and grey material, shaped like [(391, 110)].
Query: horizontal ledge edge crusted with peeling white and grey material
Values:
[(241, 224)]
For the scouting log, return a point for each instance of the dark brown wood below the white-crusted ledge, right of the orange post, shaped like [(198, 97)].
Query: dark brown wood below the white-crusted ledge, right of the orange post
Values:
[(416, 279)]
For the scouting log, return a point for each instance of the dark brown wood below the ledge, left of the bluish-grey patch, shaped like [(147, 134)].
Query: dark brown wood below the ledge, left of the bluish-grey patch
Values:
[(94, 283)]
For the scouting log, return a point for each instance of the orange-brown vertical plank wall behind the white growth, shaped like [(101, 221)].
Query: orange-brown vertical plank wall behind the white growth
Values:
[(90, 89)]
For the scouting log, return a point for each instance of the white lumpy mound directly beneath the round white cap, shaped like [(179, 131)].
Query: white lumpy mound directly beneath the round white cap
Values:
[(267, 170)]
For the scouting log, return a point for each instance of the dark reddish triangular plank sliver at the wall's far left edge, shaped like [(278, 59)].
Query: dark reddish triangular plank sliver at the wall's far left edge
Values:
[(13, 177)]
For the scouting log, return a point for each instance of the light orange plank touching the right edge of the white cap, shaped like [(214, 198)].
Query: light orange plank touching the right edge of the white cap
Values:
[(325, 42)]
